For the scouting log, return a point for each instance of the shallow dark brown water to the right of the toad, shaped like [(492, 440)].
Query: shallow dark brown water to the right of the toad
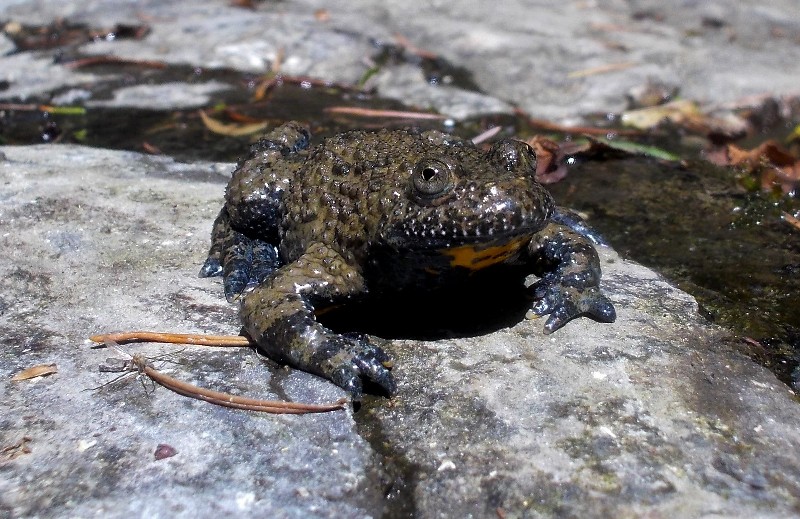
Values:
[(693, 223)]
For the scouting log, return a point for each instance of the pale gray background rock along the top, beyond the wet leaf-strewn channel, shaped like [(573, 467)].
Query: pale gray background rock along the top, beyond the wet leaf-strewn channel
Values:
[(546, 57)]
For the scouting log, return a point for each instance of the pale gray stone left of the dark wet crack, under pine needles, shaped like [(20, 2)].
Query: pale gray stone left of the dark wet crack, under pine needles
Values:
[(99, 241)]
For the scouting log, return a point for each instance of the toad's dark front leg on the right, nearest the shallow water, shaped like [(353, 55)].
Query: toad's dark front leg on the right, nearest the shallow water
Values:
[(570, 278)]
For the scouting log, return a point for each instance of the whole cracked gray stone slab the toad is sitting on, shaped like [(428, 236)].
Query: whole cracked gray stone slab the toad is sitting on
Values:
[(655, 415)]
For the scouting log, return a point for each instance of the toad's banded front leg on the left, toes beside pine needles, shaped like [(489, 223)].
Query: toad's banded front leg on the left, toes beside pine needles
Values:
[(279, 316)]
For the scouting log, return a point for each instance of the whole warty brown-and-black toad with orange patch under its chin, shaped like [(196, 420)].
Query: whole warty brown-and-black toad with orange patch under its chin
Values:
[(367, 213)]
